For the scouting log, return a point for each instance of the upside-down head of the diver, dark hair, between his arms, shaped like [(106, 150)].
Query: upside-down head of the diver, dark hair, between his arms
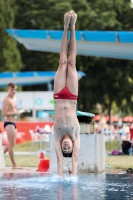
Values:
[(67, 146)]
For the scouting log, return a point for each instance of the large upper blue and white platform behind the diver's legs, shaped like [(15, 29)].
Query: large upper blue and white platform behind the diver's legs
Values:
[(109, 44)]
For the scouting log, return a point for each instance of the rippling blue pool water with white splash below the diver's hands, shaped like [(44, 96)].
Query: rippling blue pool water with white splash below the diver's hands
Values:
[(51, 187)]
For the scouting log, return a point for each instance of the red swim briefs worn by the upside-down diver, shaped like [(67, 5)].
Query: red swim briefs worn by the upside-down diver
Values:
[(65, 94)]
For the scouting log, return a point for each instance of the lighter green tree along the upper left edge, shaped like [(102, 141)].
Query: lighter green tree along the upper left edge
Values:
[(10, 59)]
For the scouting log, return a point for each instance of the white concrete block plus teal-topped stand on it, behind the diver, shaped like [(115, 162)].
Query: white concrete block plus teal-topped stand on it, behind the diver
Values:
[(92, 148)]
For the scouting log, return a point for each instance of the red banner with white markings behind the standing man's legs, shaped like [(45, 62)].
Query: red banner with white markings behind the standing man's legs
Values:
[(25, 130)]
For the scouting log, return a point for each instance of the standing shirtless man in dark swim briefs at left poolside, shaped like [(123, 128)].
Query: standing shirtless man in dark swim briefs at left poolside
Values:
[(9, 111)]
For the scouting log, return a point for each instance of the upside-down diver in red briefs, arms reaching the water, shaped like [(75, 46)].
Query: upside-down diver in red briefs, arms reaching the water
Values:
[(66, 125)]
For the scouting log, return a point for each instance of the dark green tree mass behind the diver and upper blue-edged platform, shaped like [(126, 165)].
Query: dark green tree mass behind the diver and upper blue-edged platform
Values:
[(107, 81)]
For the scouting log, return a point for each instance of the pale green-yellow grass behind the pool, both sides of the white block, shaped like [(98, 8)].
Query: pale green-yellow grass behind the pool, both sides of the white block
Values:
[(115, 162)]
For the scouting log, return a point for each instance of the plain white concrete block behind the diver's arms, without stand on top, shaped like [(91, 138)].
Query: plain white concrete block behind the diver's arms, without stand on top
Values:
[(91, 155)]
